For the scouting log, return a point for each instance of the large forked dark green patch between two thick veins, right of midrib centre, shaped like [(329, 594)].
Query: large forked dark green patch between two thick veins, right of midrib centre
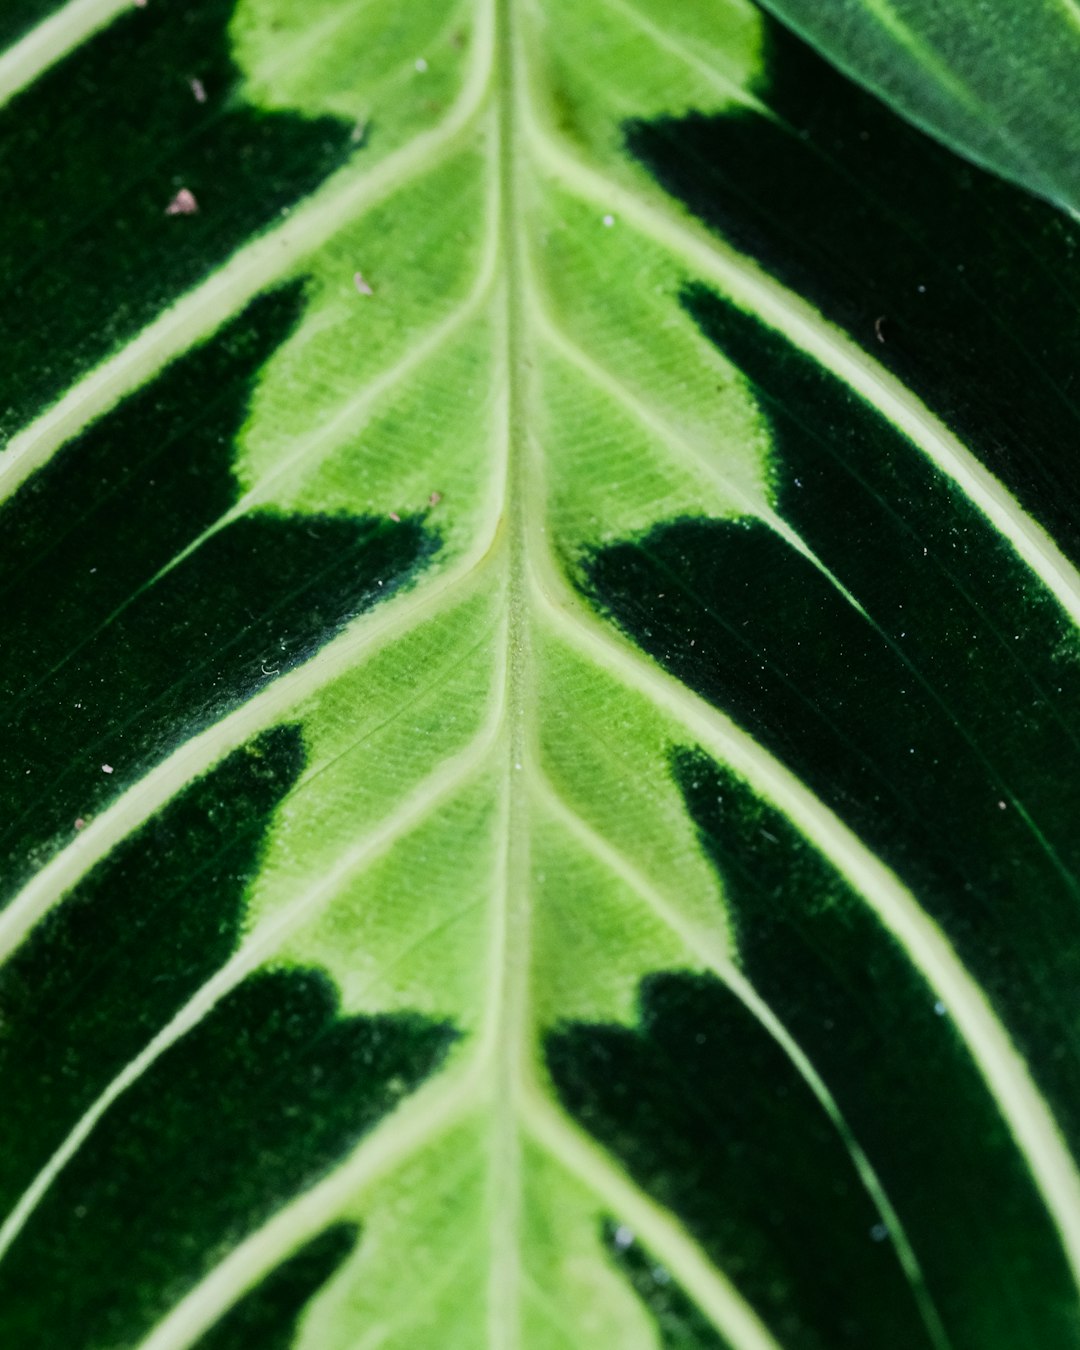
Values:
[(943, 728)]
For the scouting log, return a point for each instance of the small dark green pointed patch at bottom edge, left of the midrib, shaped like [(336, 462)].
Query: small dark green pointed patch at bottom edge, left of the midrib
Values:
[(267, 1320)]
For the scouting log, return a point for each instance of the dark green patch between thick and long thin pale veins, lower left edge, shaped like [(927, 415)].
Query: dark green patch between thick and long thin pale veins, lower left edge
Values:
[(105, 973)]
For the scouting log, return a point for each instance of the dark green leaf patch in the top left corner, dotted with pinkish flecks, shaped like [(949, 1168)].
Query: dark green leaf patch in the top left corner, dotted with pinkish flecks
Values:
[(92, 155)]
